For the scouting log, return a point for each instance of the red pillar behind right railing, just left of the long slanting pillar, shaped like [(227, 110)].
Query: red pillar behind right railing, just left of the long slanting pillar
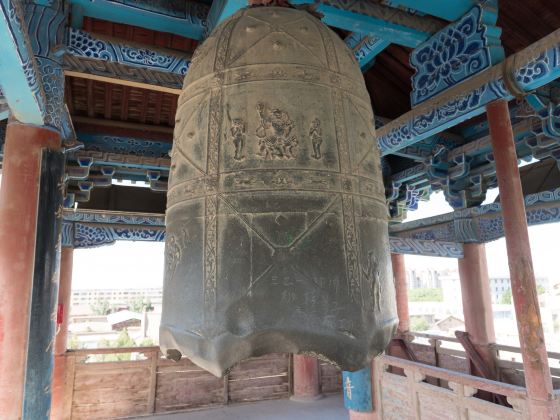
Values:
[(477, 303)]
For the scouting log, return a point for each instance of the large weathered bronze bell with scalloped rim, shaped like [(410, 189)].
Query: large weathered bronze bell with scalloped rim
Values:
[(276, 220)]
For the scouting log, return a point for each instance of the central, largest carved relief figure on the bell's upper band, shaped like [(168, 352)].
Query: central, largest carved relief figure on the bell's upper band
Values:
[(274, 132)]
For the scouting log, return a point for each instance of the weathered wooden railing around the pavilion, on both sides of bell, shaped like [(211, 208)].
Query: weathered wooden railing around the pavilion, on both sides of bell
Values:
[(147, 384)]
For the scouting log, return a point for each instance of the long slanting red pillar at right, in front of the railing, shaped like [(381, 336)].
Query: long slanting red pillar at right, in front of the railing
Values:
[(523, 286)]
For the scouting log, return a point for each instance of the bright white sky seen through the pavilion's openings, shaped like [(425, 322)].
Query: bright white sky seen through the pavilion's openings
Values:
[(140, 264)]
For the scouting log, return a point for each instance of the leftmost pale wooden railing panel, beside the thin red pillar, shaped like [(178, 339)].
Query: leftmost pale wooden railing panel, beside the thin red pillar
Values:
[(110, 390)]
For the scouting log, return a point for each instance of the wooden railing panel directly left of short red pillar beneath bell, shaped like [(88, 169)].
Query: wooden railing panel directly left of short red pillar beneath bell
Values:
[(261, 378)]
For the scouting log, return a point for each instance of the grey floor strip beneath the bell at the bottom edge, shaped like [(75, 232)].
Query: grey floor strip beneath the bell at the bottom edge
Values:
[(328, 408)]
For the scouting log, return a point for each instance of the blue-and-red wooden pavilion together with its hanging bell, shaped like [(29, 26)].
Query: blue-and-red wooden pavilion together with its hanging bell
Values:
[(97, 95)]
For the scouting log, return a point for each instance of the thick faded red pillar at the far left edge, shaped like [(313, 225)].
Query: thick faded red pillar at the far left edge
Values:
[(18, 223)]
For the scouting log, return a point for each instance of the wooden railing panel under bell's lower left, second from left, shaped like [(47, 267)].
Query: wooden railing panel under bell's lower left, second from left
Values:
[(183, 385)]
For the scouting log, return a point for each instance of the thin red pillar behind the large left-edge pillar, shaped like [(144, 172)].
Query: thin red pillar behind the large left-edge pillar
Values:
[(61, 339)]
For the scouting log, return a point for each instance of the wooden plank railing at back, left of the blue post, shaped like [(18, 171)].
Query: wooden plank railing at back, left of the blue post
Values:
[(98, 389)]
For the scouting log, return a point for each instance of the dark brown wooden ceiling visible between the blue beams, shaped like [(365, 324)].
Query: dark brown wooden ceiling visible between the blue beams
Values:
[(388, 81)]
